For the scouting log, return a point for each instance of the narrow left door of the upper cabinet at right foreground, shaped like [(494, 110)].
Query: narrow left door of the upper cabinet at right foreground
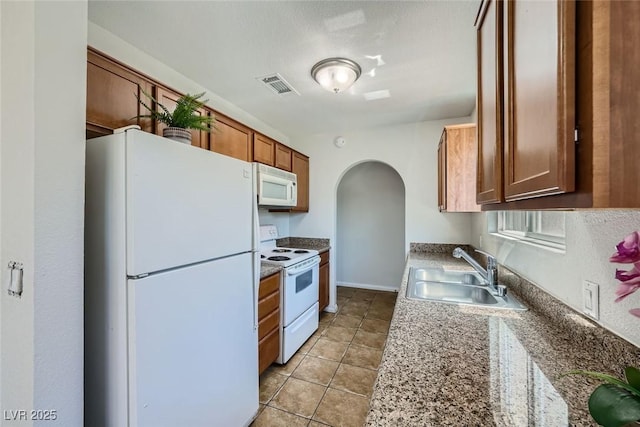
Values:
[(489, 51)]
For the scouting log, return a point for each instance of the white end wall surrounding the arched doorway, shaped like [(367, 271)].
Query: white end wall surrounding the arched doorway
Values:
[(410, 149)]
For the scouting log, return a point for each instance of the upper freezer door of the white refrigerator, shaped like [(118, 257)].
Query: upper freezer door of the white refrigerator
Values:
[(184, 204)]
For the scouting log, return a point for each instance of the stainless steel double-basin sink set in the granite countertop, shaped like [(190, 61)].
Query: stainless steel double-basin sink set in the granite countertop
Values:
[(456, 287)]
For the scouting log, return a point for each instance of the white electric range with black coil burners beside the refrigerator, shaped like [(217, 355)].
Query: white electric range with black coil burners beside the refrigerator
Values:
[(298, 290)]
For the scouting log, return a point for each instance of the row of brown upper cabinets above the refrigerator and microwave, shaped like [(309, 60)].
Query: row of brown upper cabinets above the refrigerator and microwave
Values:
[(112, 88)]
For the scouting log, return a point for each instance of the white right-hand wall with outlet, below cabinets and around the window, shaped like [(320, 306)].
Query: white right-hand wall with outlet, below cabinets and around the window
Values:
[(591, 239)]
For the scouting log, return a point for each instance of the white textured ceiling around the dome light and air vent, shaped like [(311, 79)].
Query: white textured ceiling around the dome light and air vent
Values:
[(422, 52)]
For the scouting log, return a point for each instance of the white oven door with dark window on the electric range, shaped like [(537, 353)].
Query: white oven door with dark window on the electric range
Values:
[(300, 289)]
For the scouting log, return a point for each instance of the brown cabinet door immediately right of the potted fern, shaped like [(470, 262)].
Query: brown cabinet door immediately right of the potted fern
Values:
[(231, 139)]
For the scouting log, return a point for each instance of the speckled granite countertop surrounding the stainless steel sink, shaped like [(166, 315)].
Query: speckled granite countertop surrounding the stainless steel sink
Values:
[(453, 365)]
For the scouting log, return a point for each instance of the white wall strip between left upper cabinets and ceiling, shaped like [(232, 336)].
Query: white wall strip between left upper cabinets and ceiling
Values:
[(108, 43)]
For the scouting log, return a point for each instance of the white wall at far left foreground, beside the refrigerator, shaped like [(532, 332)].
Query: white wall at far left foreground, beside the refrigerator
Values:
[(43, 54)]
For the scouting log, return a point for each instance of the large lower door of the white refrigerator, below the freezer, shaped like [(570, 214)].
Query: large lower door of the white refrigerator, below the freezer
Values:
[(193, 349)]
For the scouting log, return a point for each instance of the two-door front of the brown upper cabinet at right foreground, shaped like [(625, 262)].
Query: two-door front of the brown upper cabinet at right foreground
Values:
[(536, 119)]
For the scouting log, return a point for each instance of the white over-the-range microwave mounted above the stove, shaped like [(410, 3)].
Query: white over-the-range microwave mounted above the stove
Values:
[(275, 187)]
